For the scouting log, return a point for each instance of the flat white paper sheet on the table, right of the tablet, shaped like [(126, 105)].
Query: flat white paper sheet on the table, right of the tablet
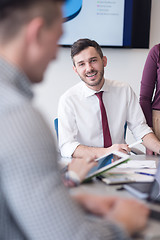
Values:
[(138, 164)]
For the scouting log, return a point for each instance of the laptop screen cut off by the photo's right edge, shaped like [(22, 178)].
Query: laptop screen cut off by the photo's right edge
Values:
[(154, 194)]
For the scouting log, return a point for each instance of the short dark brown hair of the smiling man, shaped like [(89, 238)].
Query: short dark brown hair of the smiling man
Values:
[(82, 44)]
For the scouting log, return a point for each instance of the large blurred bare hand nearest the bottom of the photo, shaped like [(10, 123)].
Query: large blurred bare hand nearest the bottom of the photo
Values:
[(129, 213)]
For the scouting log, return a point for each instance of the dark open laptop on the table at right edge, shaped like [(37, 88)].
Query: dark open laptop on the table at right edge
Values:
[(149, 192)]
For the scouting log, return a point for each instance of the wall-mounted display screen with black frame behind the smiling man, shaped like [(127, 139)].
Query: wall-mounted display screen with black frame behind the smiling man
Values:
[(112, 23)]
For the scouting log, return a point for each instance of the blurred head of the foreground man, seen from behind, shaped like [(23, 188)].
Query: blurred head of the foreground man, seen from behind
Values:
[(29, 32)]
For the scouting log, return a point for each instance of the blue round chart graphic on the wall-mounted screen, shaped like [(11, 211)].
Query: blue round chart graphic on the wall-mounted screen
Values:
[(71, 9)]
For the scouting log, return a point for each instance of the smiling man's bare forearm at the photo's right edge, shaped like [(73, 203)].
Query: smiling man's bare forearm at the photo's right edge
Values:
[(151, 142)]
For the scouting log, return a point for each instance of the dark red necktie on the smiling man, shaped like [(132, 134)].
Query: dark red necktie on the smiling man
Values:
[(106, 132)]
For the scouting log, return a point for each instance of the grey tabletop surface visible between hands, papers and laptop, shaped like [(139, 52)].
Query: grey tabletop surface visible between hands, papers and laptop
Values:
[(97, 187)]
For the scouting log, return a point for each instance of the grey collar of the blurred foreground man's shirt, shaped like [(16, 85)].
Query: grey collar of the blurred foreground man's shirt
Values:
[(16, 77)]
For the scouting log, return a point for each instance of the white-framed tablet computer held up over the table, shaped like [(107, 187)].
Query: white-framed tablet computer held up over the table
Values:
[(106, 163)]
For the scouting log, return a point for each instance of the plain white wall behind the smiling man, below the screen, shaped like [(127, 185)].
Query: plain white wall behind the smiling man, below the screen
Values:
[(123, 65)]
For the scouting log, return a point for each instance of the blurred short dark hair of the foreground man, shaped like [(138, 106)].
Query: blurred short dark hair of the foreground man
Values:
[(15, 13)]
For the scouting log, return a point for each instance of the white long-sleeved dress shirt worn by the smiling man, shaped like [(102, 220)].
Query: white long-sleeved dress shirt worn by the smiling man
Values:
[(79, 116)]
